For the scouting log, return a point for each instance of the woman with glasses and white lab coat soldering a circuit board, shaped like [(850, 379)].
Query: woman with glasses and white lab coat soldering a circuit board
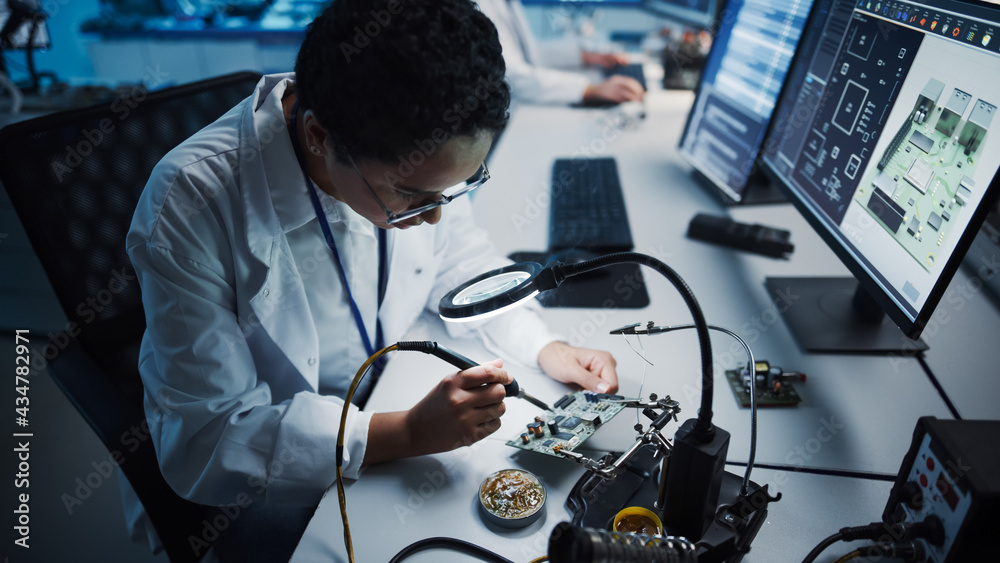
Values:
[(276, 250)]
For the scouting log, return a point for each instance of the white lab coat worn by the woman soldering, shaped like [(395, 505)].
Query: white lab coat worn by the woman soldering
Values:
[(230, 356)]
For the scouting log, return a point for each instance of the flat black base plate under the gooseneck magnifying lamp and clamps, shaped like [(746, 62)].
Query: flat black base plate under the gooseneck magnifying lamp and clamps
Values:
[(594, 503)]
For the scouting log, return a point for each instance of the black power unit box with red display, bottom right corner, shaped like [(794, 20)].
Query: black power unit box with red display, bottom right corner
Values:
[(950, 475)]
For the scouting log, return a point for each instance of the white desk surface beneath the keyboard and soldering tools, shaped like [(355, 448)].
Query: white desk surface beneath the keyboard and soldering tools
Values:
[(857, 415)]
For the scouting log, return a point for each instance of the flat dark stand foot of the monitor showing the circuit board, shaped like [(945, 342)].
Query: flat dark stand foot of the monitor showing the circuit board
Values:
[(836, 315)]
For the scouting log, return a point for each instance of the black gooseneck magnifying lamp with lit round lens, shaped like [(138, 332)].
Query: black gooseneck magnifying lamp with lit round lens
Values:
[(696, 463)]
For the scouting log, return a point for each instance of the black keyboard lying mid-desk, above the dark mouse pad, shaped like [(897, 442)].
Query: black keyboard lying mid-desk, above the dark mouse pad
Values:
[(587, 206)]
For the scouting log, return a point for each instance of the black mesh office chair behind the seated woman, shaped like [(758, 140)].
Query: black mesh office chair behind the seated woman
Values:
[(74, 179)]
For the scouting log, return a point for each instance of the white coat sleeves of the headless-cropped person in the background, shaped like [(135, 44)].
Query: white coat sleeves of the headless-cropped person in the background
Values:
[(533, 70)]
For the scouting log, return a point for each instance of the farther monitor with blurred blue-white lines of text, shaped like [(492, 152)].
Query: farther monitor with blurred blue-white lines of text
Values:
[(743, 75)]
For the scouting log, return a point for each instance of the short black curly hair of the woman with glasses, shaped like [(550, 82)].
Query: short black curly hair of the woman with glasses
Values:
[(383, 76)]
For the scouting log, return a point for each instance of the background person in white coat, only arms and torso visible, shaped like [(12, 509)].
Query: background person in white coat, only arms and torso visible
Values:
[(532, 68)]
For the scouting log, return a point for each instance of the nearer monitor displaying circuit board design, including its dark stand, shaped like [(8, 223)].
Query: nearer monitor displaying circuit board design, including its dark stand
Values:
[(882, 140)]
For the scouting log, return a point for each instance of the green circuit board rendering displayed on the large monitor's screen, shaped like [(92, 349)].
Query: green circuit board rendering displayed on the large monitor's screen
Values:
[(924, 178)]
